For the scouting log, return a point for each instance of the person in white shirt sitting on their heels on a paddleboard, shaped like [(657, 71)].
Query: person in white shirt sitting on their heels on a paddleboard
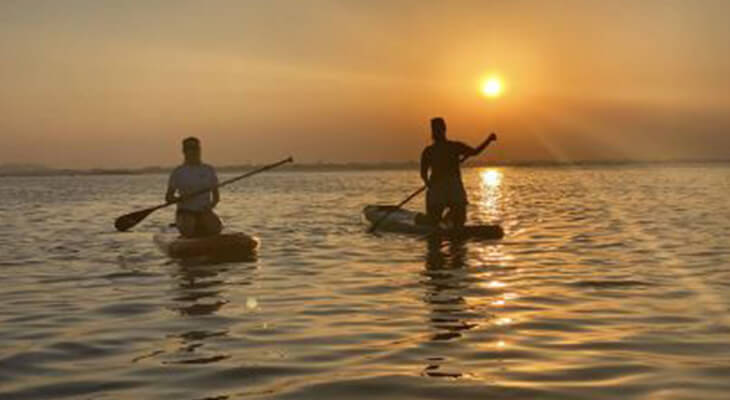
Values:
[(195, 216)]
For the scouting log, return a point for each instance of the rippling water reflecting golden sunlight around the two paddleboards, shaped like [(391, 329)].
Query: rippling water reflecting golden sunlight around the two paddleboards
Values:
[(612, 282)]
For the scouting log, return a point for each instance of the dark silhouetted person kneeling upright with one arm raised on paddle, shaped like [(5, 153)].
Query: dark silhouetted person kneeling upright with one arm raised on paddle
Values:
[(445, 188)]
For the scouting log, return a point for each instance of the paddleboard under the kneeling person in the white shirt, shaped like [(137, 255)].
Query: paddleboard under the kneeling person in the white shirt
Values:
[(234, 245)]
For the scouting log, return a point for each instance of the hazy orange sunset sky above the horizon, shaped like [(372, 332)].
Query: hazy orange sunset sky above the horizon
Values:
[(112, 84)]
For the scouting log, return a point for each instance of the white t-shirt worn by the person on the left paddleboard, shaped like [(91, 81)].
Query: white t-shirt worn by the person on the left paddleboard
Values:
[(188, 178)]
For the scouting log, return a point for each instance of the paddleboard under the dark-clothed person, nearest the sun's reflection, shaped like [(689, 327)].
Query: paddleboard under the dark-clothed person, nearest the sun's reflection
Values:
[(405, 221)]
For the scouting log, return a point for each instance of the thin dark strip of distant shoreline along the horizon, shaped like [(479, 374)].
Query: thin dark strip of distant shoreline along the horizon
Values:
[(22, 170)]
